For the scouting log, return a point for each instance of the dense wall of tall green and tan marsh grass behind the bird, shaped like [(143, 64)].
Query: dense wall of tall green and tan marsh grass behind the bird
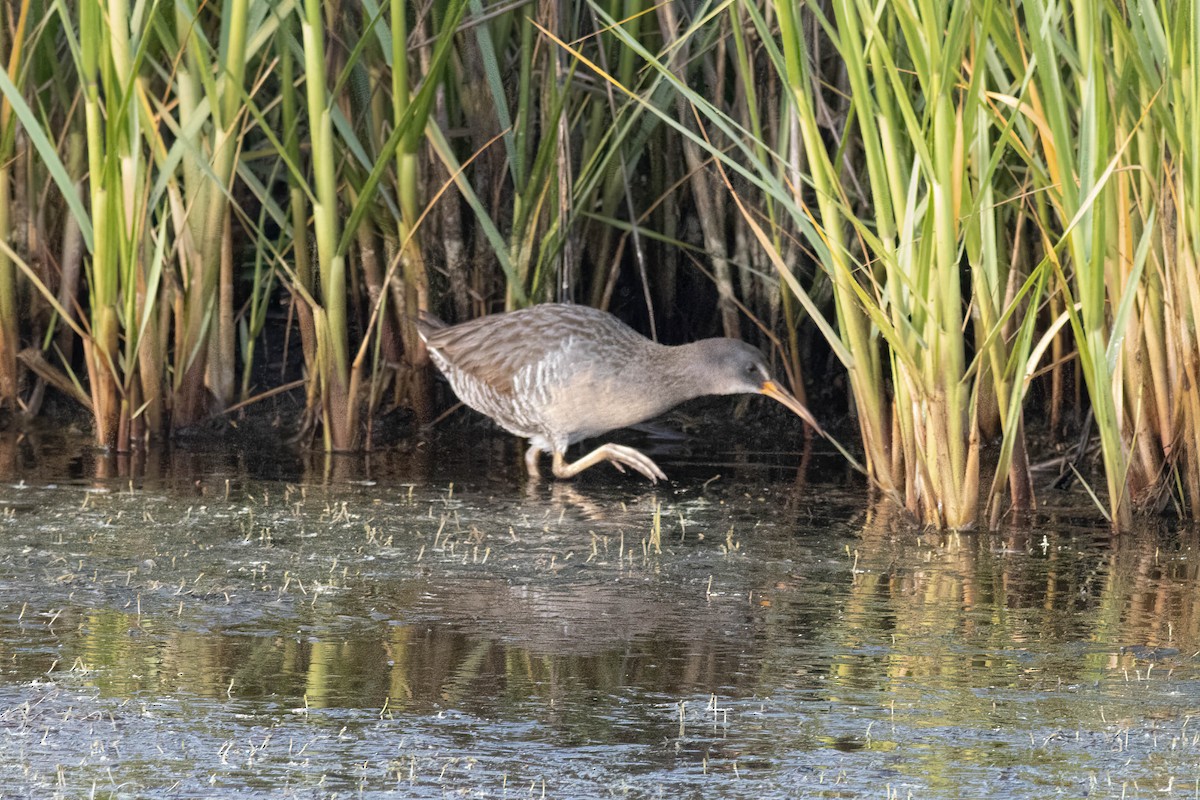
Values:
[(959, 207)]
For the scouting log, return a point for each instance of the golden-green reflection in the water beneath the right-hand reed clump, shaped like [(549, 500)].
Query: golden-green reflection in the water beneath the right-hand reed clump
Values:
[(953, 605)]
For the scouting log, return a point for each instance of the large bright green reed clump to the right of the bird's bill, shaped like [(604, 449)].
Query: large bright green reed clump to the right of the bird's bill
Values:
[(915, 173)]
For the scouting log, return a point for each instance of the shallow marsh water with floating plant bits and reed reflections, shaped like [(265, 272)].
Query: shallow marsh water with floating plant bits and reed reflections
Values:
[(251, 624)]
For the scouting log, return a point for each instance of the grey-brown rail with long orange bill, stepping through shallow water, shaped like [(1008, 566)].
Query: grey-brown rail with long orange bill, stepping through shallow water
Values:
[(560, 374)]
